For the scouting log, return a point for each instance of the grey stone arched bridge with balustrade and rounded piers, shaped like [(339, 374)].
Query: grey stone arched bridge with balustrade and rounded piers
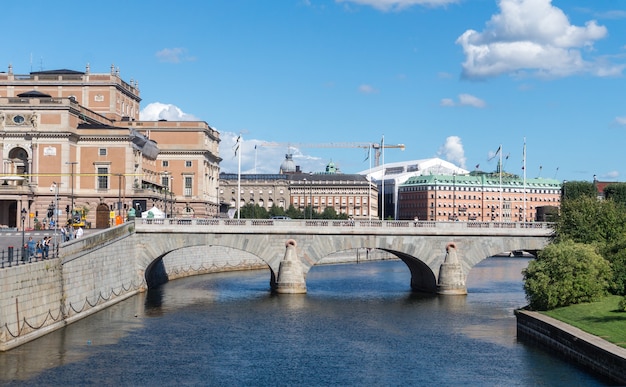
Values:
[(439, 255)]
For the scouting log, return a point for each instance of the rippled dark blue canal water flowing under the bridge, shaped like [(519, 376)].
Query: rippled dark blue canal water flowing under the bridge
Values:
[(359, 325)]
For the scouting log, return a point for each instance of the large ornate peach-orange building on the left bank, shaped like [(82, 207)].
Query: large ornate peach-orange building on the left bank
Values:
[(74, 138)]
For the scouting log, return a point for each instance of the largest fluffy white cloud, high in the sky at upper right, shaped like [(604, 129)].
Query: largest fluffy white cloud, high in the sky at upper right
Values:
[(532, 36)]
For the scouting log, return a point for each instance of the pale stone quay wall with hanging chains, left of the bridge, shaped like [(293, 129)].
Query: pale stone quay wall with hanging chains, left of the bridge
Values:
[(91, 274)]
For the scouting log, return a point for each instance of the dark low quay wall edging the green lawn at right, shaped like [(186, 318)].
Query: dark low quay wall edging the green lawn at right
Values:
[(590, 352)]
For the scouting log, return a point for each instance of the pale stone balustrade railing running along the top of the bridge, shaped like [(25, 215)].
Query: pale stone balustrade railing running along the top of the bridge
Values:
[(323, 223)]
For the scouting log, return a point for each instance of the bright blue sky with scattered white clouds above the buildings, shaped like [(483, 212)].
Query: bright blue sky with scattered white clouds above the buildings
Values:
[(448, 78)]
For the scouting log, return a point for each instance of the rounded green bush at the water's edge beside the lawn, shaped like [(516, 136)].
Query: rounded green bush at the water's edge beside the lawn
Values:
[(566, 273)]
